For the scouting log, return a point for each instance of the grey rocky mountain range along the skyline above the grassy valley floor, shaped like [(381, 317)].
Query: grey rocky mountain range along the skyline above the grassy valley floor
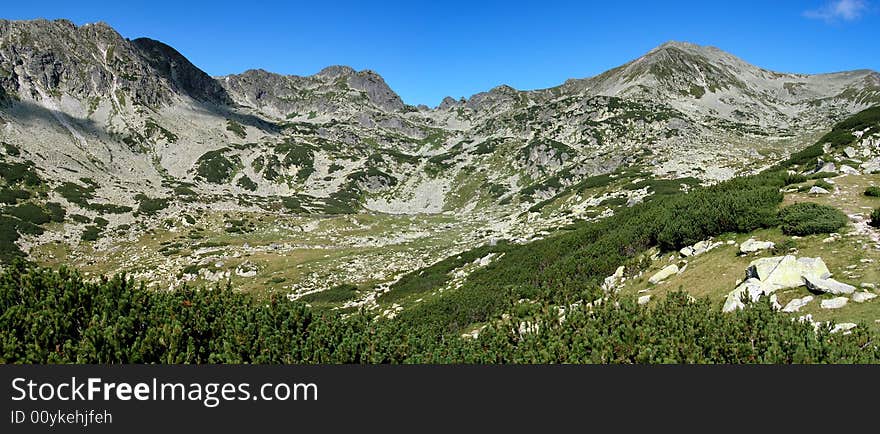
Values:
[(136, 117)]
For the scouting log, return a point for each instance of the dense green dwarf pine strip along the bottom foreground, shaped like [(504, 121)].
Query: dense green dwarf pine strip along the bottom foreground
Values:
[(116, 321)]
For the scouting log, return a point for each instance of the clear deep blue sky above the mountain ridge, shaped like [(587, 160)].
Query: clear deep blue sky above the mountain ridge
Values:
[(426, 50)]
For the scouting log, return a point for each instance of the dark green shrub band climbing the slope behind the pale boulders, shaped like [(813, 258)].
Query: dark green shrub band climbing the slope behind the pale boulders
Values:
[(570, 266)]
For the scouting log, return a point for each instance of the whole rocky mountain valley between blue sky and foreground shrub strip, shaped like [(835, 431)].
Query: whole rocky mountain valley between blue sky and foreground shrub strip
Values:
[(493, 212)]
